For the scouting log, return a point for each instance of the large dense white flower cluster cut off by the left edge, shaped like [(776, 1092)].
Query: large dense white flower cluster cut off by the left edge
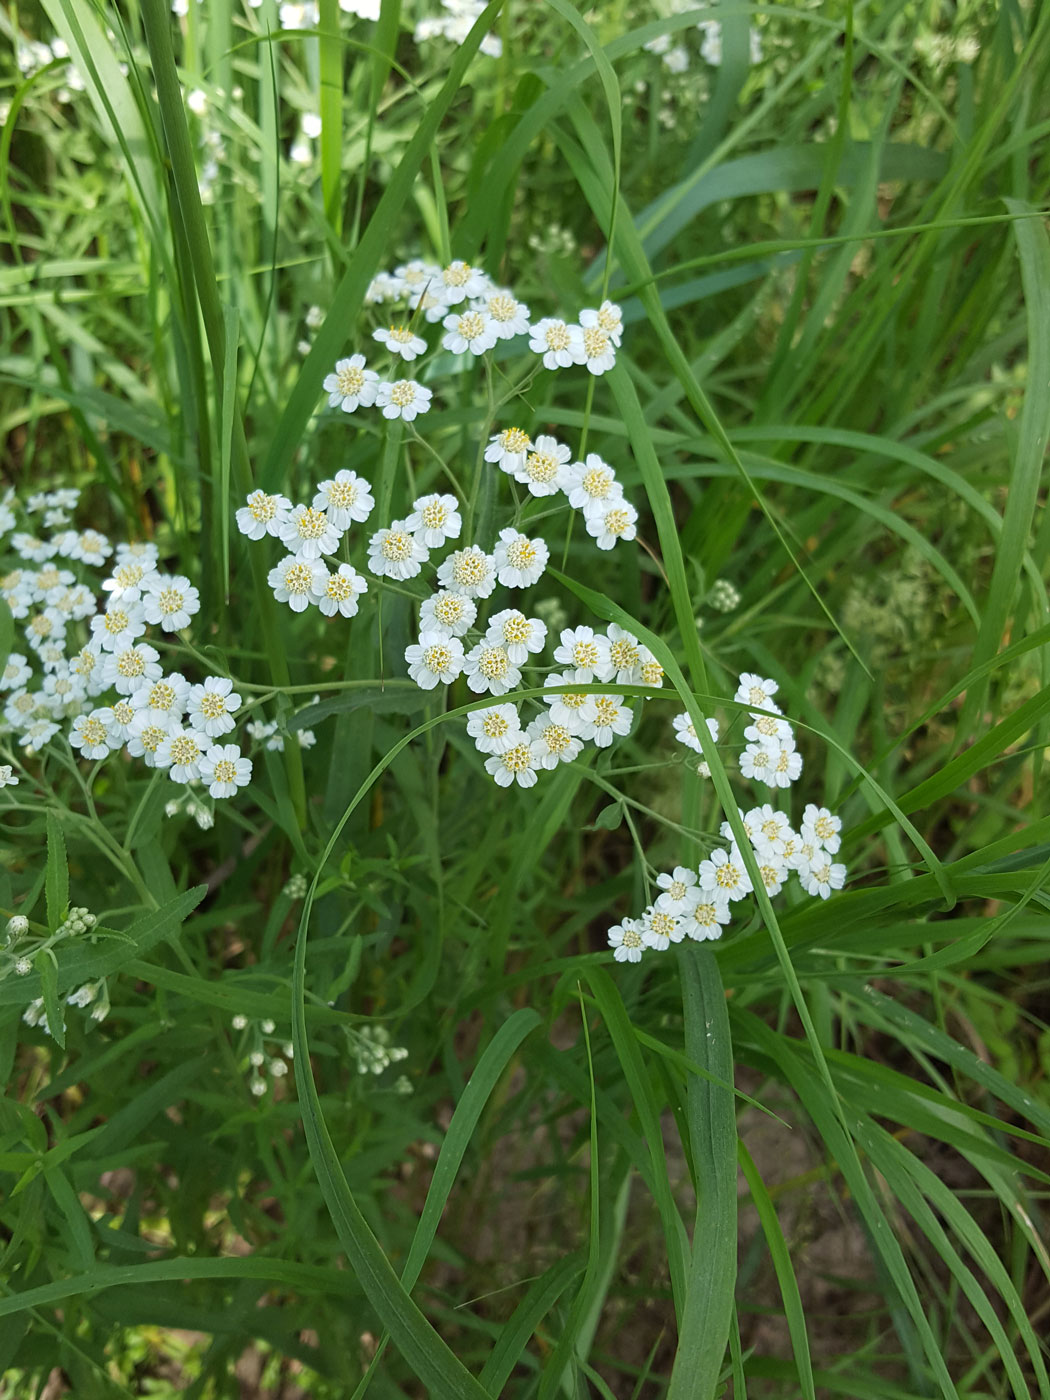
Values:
[(83, 653)]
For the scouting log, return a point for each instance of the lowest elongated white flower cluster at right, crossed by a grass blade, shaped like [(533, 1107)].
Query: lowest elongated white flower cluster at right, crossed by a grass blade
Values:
[(698, 904)]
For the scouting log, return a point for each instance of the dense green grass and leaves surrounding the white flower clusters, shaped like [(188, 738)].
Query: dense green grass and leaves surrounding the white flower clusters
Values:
[(834, 394)]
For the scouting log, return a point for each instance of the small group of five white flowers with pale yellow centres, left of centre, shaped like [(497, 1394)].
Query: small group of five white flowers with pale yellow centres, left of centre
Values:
[(310, 534)]
